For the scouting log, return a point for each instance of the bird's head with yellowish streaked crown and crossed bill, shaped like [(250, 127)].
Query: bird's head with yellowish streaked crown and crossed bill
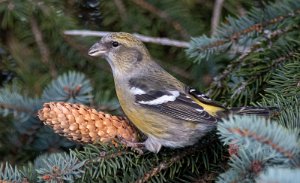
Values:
[(123, 51)]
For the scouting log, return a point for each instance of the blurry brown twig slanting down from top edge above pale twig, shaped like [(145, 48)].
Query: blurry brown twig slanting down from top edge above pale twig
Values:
[(163, 15)]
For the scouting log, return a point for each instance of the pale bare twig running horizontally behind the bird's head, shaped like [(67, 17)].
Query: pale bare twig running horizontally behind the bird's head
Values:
[(161, 41)]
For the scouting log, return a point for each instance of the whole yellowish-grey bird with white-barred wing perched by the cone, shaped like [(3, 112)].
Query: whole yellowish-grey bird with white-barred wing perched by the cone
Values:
[(169, 113)]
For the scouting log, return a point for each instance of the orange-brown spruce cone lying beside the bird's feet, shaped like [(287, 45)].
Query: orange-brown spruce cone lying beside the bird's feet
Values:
[(80, 123)]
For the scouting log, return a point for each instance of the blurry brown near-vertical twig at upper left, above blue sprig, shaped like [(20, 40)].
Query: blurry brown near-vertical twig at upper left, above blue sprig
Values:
[(44, 51)]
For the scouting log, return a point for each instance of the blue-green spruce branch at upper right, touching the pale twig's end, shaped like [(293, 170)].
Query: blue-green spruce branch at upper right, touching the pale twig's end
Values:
[(242, 33)]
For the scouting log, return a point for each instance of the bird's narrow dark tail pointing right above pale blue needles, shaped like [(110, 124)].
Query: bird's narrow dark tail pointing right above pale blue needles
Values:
[(259, 111)]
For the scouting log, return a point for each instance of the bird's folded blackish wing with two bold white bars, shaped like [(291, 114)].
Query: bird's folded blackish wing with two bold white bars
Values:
[(171, 102)]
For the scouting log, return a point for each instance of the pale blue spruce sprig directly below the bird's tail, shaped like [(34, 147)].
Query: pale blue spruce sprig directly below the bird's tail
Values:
[(244, 130)]
